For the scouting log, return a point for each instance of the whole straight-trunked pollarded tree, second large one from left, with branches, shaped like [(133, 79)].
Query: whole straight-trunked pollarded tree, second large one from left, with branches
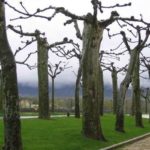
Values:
[(42, 65)]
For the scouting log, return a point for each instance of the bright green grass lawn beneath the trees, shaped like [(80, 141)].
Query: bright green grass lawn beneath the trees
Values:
[(65, 133)]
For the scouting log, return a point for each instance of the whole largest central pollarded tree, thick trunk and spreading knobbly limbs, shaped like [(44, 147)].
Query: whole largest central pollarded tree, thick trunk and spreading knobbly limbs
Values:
[(91, 38)]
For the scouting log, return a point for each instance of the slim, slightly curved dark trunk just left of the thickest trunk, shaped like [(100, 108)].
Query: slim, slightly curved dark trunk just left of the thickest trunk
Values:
[(77, 92)]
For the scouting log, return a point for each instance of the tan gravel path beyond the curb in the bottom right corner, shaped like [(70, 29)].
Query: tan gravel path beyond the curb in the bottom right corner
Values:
[(143, 144)]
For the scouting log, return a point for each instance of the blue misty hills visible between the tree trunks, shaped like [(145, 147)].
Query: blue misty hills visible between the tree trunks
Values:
[(60, 91)]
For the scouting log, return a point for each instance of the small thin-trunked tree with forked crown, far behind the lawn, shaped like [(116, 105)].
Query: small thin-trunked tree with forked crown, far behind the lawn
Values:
[(53, 72)]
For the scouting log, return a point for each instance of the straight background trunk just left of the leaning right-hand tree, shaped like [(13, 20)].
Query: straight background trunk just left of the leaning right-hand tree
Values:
[(115, 89)]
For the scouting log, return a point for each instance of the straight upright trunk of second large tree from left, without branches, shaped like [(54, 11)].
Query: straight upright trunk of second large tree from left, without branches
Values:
[(43, 79)]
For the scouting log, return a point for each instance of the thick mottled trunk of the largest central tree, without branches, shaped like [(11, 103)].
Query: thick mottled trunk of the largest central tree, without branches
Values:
[(92, 36)]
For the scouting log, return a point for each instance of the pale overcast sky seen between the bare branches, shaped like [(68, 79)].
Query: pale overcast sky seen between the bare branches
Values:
[(55, 31)]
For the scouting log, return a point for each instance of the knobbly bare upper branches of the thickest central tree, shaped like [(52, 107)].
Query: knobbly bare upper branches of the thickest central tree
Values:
[(96, 4)]
